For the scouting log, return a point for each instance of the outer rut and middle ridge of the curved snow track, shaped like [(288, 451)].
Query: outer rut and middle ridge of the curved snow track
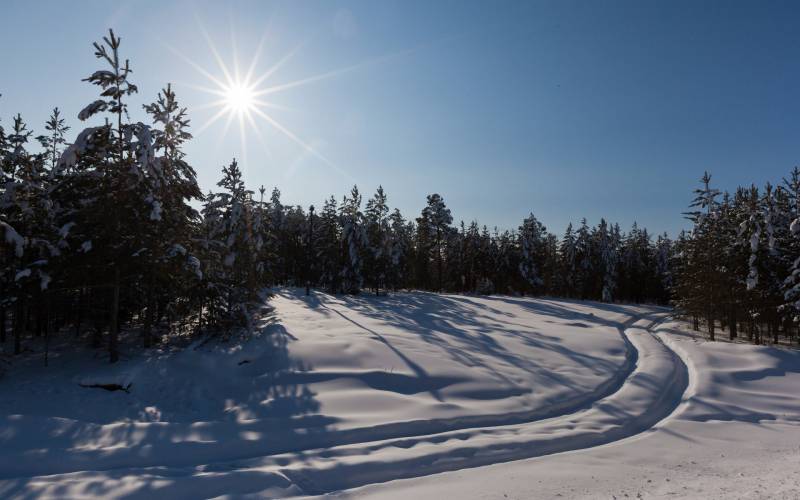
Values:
[(651, 393)]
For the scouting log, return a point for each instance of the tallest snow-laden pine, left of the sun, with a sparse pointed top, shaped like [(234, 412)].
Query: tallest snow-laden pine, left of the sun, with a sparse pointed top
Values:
[(121, 162)]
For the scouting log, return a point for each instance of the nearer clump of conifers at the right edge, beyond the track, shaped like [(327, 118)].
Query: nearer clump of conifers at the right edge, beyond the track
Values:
[(738, 268)]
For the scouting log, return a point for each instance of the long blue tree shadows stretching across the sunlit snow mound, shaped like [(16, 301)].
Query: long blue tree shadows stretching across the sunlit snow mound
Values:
[(452, 324)]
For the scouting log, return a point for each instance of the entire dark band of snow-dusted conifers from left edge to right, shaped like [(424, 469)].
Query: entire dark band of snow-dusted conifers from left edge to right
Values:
[(98, 233)]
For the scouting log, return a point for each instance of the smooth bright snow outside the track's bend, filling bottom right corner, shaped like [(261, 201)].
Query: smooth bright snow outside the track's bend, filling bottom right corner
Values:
[(736, 434)]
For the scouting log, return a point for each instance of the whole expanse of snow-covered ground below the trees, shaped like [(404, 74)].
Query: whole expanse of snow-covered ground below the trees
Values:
[(414, 395)]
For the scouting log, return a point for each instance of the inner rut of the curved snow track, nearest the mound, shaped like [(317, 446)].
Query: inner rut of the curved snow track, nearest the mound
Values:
[(183, 452)]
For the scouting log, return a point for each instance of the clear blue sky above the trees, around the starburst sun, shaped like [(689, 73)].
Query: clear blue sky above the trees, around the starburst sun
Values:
[(567, 109)]
